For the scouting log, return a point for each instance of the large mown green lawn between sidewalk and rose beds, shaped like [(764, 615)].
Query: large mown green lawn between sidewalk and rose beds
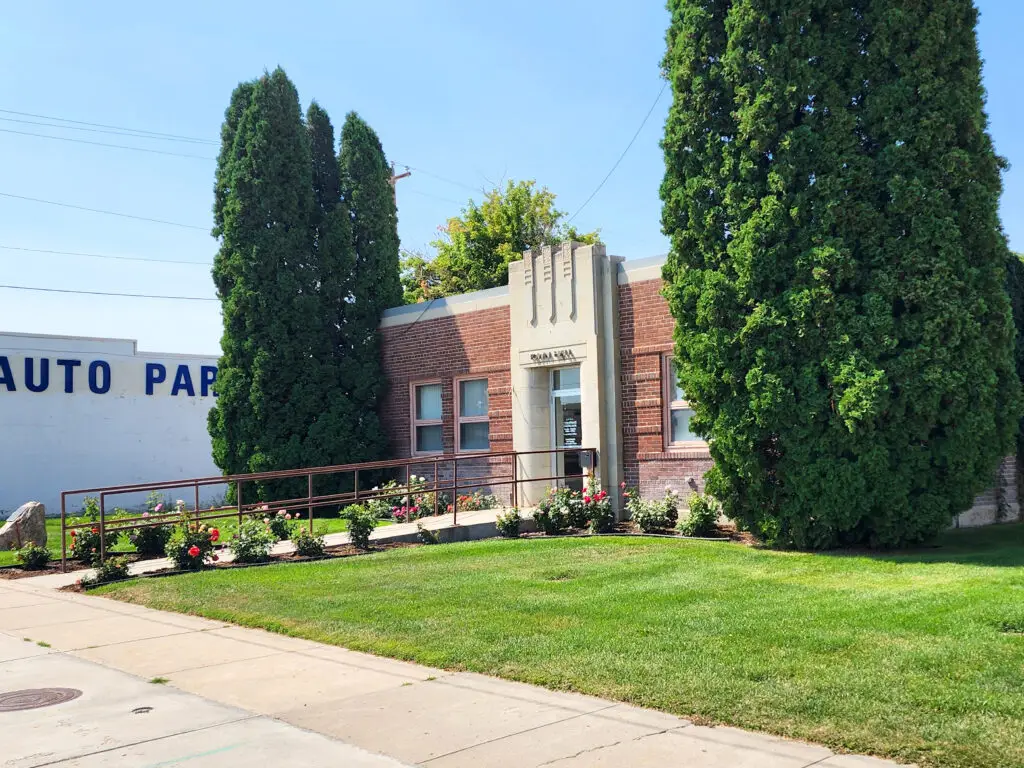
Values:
[(903, 656)]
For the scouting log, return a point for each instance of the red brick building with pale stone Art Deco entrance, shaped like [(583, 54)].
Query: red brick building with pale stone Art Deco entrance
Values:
[(574, 353)]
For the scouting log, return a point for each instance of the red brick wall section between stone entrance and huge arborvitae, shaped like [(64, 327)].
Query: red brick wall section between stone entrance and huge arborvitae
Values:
[(646, 337)]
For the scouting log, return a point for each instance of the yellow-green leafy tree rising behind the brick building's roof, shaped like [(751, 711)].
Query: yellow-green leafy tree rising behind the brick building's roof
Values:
[(477, 248)]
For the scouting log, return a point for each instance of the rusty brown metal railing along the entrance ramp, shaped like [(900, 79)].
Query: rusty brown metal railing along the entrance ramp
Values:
[(440, 484)]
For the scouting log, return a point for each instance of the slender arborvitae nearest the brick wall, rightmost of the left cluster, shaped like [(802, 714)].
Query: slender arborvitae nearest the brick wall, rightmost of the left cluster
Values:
[(367, 193)]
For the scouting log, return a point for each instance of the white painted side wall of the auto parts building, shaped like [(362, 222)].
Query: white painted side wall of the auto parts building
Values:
[(55, 441)]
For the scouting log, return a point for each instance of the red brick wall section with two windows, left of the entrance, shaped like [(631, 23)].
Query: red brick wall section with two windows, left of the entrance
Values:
[(472, 344)]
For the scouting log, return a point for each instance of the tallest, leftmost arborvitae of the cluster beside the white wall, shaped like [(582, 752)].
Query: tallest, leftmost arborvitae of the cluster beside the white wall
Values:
[(269, 379)]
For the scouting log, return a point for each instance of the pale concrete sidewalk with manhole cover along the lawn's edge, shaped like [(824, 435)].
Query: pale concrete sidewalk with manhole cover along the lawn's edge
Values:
[(245, 697)]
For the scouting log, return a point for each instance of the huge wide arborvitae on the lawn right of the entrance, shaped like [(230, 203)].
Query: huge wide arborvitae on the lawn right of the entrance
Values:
[(837, 268)]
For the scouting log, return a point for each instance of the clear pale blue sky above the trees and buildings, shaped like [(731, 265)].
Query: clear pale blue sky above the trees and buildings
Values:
[(473, 93)]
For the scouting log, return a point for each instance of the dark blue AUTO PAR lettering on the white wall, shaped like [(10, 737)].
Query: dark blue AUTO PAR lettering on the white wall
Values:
[(72, 375)]
